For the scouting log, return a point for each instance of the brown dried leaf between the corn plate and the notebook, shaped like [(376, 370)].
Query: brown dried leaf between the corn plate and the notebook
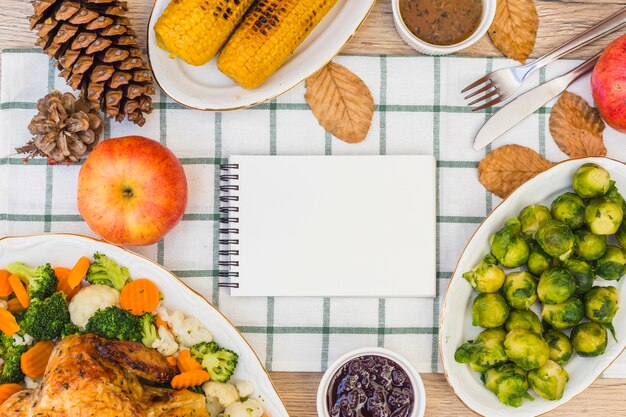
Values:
[(341, 102)]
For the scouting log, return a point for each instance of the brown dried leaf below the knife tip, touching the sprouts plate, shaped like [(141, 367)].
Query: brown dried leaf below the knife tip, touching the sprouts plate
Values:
[(508, 167)]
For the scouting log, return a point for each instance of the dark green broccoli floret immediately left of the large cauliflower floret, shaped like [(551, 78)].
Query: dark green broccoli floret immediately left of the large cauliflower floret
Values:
[(46, 319)]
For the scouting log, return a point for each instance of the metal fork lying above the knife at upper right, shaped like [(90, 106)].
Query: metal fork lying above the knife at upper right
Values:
[(503, 83)]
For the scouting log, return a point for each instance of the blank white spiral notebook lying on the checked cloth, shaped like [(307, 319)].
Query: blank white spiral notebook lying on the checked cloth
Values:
[(328, 226)]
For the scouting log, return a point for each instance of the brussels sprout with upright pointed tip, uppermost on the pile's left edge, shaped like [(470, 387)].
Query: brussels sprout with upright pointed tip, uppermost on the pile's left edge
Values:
[(508, 246)]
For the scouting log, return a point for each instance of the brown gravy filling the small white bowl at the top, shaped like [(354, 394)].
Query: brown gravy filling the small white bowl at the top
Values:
[(442, 22)]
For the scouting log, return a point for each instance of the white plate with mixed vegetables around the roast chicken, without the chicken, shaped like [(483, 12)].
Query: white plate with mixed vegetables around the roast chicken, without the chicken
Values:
[(56, 286)]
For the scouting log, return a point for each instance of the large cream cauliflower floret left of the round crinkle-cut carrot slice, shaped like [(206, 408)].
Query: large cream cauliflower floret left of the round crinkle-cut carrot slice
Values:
[(89, 300)]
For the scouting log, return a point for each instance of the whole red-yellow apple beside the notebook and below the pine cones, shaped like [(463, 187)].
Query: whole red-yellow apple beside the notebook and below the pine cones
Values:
[(132, 190)]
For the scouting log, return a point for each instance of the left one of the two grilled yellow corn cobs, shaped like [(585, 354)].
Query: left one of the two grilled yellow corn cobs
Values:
[(195, 30)]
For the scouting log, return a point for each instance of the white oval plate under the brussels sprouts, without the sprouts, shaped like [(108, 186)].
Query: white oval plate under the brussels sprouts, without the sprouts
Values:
[(456, 323)]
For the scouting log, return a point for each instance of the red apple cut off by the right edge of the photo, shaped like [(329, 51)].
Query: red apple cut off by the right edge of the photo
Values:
[(608, 84)]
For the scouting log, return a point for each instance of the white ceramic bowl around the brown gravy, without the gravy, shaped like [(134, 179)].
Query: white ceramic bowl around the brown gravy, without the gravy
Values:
[(489, 12)]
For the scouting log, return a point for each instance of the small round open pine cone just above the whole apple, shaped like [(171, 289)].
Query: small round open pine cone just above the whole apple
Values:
[(64, 129)]
